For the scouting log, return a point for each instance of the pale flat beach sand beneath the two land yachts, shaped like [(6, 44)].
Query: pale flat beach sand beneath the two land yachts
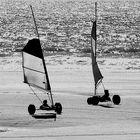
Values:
[(72, 86)]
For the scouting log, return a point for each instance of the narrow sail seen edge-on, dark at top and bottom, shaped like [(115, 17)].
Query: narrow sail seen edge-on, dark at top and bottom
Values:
[(96, 71)]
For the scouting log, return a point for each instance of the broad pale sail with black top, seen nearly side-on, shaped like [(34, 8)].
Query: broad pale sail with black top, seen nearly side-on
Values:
[(34, 68)]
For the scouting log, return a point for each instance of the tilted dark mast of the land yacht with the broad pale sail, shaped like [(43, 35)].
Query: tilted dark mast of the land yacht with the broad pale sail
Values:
[(47, 78)]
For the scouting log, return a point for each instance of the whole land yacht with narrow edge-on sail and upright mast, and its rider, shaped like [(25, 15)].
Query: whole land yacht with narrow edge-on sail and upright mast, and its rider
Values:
[(95, 99)]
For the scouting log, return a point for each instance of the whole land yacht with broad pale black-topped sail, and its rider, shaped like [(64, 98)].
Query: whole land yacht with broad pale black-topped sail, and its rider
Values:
[(36, 76)]
